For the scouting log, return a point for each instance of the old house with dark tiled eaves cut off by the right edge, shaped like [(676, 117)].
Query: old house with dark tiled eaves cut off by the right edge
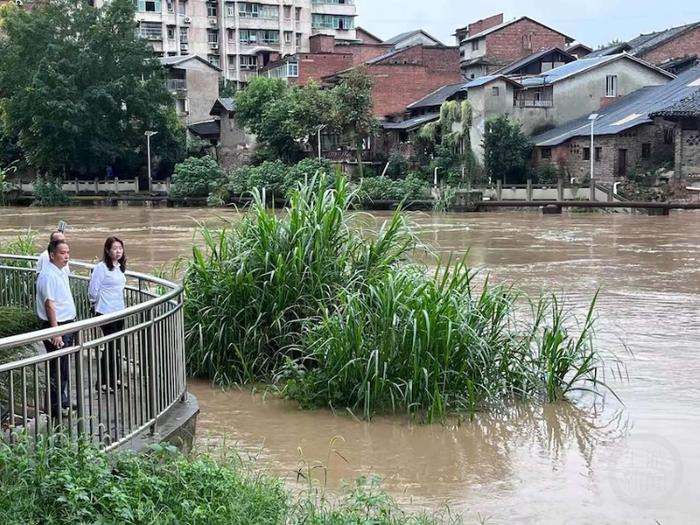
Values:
[(685, 115)]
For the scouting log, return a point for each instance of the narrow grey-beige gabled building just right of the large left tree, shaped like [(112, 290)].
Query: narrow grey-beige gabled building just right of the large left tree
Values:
[(194, 82)]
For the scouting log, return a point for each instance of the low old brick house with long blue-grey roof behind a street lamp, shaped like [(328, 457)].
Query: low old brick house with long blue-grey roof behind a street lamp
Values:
[(627, 135)]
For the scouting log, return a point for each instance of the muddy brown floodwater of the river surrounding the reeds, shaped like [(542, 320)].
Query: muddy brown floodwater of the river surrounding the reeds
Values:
[(607, 462)]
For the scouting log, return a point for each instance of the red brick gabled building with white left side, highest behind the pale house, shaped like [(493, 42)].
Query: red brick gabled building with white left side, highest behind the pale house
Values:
[(490, 44)]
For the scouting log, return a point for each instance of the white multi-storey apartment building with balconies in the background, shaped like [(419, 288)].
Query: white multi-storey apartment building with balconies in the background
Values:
[(238, 36)]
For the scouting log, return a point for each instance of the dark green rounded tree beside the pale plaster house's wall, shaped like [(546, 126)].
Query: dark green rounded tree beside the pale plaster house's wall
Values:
[(506, 150)]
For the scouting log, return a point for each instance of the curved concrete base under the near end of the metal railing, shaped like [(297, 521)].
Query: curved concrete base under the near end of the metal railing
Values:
[(176, 427)]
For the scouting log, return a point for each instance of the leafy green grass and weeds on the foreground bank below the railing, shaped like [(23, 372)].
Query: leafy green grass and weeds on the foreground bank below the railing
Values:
[(57, 482)]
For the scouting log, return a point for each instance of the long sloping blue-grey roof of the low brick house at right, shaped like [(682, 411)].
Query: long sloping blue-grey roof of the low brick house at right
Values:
[(627, 112)]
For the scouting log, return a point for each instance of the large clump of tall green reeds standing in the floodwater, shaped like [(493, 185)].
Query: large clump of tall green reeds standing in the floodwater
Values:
[(340, 319)]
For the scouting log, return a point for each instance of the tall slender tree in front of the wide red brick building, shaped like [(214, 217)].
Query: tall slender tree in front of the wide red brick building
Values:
[(353, 105)]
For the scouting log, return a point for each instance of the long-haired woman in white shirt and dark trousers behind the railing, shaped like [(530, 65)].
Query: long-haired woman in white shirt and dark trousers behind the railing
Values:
[(106, 292)]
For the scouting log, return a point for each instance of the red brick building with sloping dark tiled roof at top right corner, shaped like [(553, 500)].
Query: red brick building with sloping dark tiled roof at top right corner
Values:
[(663, 48)]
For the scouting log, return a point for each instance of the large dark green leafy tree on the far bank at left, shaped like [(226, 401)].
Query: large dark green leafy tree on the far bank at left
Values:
[(78, 89)]
